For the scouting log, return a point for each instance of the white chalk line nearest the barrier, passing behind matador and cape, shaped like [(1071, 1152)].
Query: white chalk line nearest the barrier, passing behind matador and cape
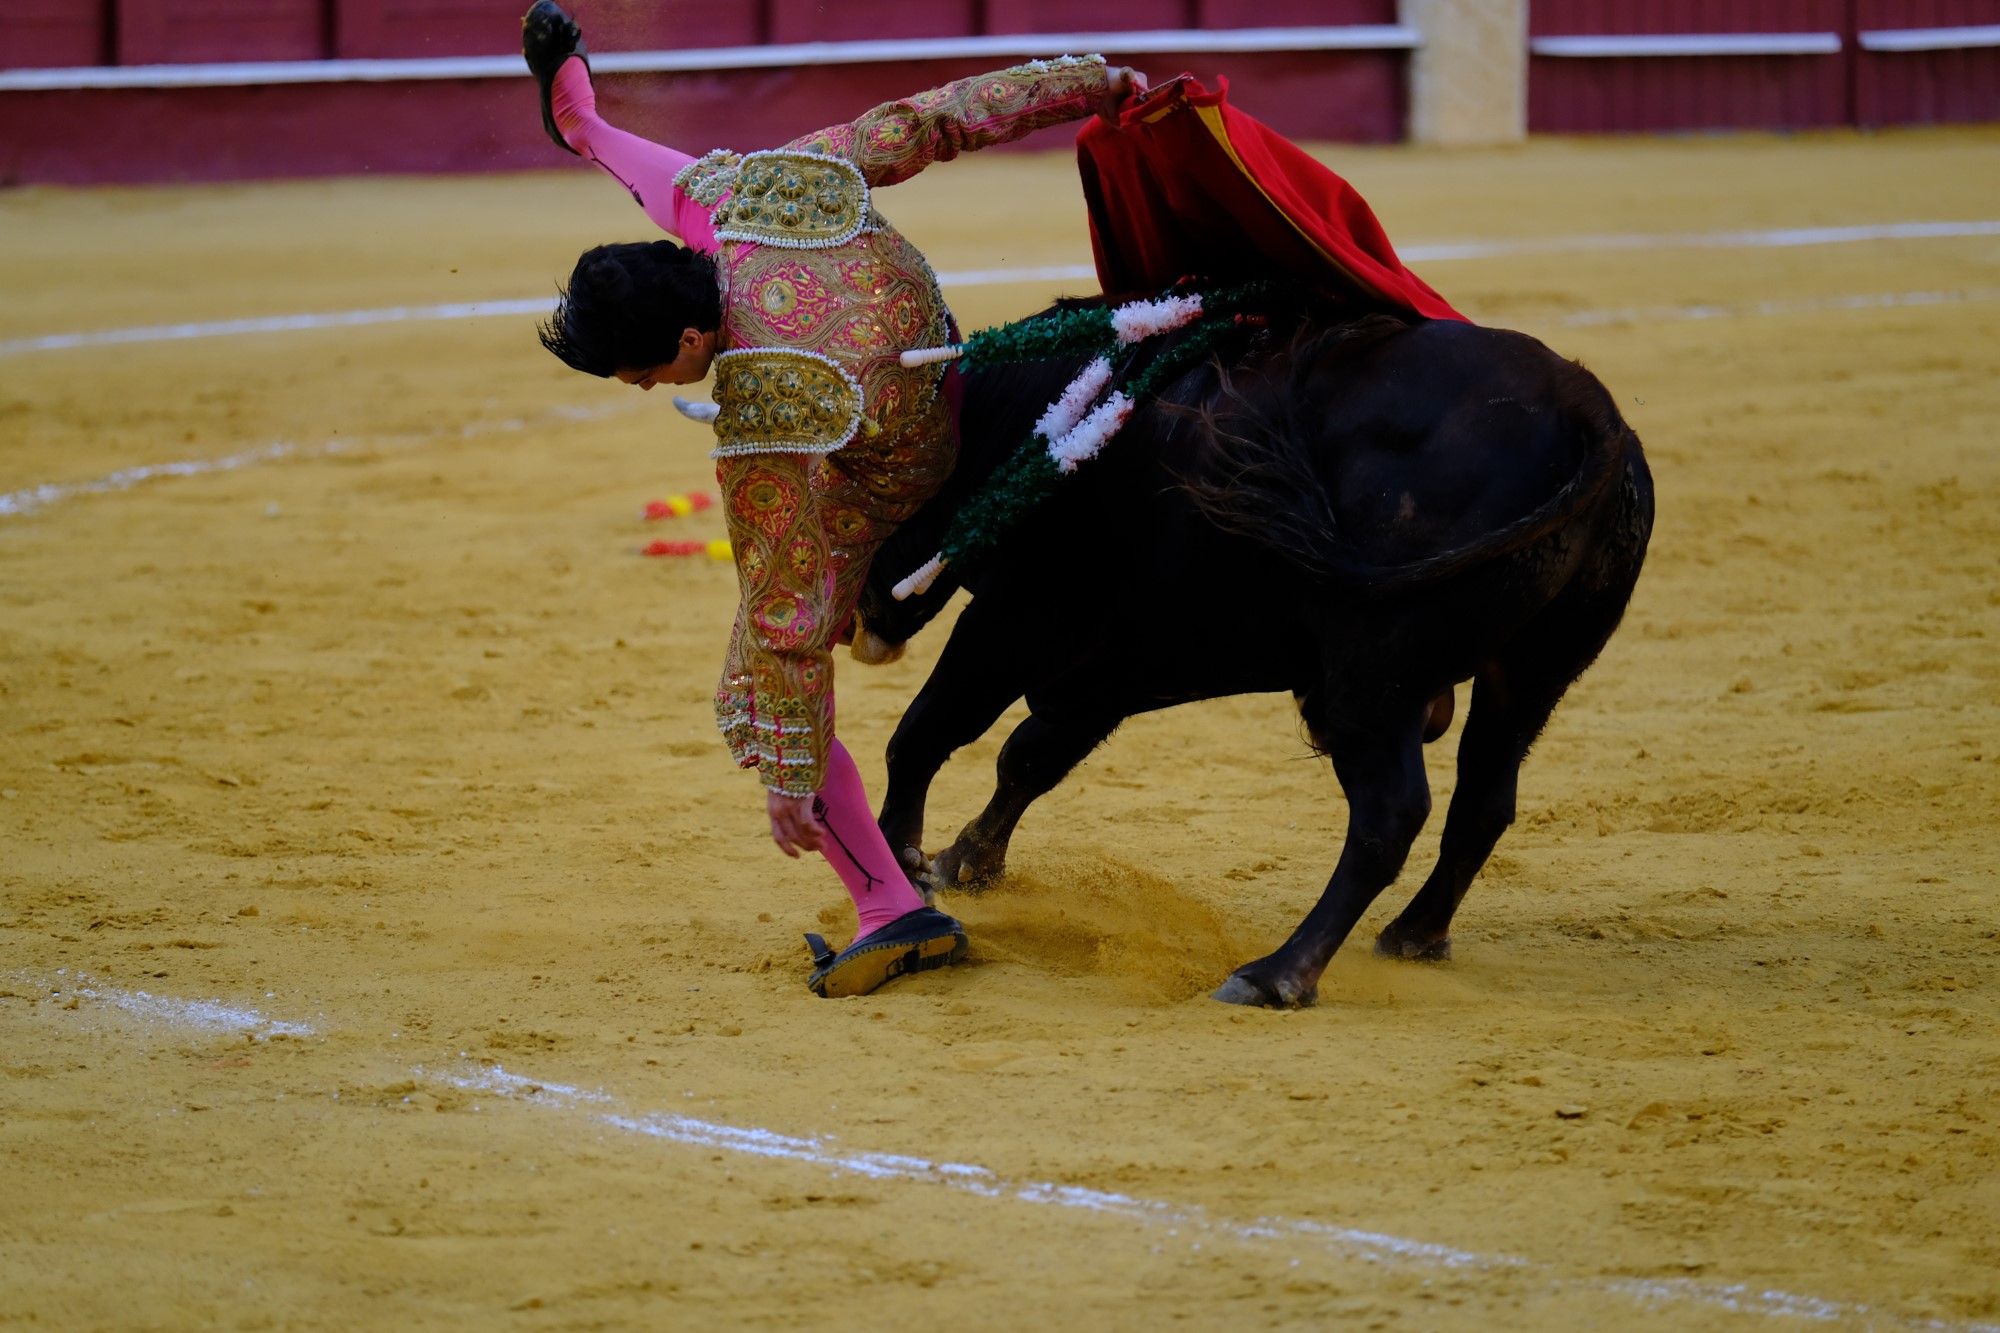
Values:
[(1055, 273)]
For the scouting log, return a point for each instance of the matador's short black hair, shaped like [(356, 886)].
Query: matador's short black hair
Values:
[(627, 307)]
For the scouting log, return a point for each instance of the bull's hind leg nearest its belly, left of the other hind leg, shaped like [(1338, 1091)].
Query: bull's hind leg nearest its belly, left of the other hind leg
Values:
[(1381, 770)]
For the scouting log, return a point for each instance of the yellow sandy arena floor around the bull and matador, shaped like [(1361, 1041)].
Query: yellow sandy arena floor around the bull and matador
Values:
[(385, 740)]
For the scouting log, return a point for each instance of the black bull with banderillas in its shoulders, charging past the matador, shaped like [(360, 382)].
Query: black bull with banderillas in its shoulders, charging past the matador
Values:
[(1363, 515)]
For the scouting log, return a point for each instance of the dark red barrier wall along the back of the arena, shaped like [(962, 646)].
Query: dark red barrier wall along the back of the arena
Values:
[(475, 125)]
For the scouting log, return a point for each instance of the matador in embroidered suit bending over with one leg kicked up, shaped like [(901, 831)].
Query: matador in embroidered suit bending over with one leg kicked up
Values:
[(799, 295)]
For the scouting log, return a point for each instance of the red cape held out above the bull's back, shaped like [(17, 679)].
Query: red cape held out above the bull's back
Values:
[(1189, 185)]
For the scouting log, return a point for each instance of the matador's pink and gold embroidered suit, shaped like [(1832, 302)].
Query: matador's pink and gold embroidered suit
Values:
[(823, 441)]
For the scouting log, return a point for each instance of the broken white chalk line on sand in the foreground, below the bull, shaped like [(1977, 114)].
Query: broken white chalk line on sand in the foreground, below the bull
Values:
[(983, 1182)]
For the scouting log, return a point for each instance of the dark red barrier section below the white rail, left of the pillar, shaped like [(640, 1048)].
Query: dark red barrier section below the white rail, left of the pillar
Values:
[(155, 135)]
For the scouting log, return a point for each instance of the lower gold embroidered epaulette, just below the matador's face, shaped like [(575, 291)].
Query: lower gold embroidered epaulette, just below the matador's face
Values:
[(783, 401)]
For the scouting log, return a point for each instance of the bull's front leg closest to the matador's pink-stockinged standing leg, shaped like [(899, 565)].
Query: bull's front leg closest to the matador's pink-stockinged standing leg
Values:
[(977, 678)]
